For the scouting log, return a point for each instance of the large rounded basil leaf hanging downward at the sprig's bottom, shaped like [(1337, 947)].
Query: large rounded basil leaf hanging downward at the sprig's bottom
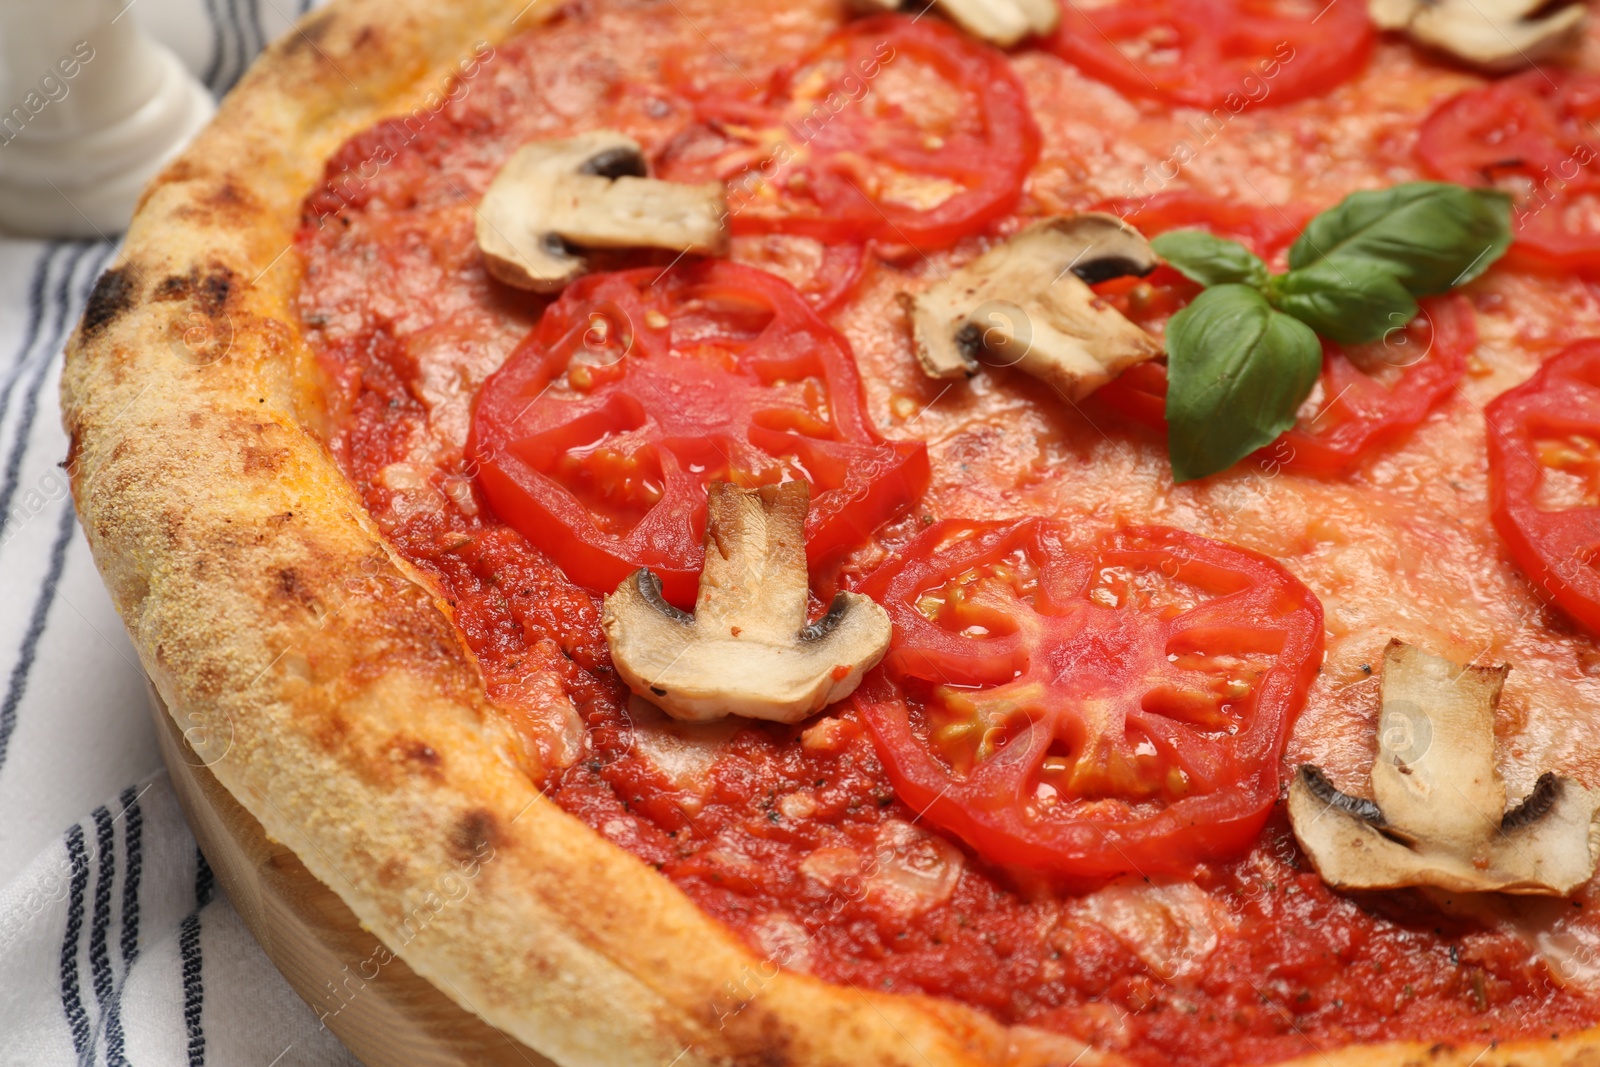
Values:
[(1238, 372)]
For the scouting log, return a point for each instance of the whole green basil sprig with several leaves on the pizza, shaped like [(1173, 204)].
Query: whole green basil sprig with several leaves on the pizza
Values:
[(1244, 356)]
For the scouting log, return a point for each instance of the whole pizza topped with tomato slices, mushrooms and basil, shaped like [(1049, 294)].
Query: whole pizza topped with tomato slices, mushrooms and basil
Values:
[(982, 535)]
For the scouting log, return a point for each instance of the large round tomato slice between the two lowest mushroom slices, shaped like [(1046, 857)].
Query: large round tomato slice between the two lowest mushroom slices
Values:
[(1090, 709)]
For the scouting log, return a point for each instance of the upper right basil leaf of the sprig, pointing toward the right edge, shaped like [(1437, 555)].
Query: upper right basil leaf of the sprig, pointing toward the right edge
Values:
[(1431, 236)]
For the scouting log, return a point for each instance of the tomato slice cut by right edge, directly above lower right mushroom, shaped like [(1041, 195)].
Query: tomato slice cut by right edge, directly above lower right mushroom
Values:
[(1545, 479)]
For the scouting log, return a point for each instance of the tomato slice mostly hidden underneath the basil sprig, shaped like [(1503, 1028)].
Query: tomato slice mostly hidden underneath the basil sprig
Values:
[(1361, 415)]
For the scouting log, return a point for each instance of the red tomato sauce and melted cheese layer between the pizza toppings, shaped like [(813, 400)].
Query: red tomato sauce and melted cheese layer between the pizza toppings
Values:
[(793, 837)]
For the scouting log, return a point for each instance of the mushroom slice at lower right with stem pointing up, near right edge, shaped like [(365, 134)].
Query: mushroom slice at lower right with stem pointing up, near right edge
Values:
[(1439, 815)]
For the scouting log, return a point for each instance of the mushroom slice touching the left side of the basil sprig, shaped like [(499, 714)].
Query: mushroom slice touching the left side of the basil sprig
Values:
[(1028, 305)]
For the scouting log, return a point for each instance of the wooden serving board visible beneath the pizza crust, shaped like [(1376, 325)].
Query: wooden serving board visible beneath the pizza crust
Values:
[(393, 1020)]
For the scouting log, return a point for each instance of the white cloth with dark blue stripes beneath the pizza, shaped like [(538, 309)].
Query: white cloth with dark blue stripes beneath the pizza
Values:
[(114, 945)]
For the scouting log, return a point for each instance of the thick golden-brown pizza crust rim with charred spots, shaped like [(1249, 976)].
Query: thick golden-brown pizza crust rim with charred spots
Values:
[(324, 682)]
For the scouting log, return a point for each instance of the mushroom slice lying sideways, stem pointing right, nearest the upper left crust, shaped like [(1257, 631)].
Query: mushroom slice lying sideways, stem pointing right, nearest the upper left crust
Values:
[(591, 191)]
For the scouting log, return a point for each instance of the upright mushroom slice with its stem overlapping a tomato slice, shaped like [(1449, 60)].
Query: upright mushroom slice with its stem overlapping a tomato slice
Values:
[(748, 649)]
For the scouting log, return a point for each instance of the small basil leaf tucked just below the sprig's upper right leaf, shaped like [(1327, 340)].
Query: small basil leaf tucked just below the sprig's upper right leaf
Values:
[(1351, 302)]
